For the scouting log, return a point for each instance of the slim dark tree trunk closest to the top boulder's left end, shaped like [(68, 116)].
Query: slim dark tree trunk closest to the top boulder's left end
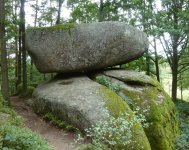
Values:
[(23, 50)]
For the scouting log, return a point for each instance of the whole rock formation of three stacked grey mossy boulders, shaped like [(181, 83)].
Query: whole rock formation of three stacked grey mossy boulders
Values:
[(75, 98)]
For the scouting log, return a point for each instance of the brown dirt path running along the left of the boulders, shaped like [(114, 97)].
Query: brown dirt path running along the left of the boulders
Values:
[(58, 138)]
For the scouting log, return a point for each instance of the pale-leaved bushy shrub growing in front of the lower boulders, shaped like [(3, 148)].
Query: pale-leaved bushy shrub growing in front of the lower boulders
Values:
[(114, 133)]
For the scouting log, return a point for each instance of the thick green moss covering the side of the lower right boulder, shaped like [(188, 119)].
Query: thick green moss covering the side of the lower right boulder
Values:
[(161, 134)]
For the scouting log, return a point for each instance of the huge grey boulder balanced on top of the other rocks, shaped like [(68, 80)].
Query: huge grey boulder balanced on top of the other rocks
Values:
[(82, 47)]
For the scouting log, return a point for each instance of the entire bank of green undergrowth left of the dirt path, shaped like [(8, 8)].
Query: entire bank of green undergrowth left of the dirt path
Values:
[(15, 137)]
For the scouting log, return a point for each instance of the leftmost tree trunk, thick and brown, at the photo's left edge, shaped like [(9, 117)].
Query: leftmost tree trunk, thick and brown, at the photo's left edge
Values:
[(4, 68)]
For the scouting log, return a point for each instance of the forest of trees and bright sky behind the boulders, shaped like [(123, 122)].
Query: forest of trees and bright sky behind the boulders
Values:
[(167, 59)]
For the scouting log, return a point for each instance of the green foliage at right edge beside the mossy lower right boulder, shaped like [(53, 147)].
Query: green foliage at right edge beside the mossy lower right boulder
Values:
[(182, 142)]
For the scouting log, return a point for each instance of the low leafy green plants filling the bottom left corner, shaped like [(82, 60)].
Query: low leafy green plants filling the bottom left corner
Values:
[(15, 137)]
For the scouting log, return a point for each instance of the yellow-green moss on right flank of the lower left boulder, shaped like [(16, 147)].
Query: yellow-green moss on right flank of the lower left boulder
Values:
[(115, 106)]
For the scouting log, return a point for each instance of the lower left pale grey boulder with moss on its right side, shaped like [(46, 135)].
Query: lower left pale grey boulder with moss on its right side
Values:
[(81, 101)]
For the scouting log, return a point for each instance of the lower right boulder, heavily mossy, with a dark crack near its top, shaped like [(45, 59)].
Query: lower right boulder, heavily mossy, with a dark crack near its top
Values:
[(143, 91)]
